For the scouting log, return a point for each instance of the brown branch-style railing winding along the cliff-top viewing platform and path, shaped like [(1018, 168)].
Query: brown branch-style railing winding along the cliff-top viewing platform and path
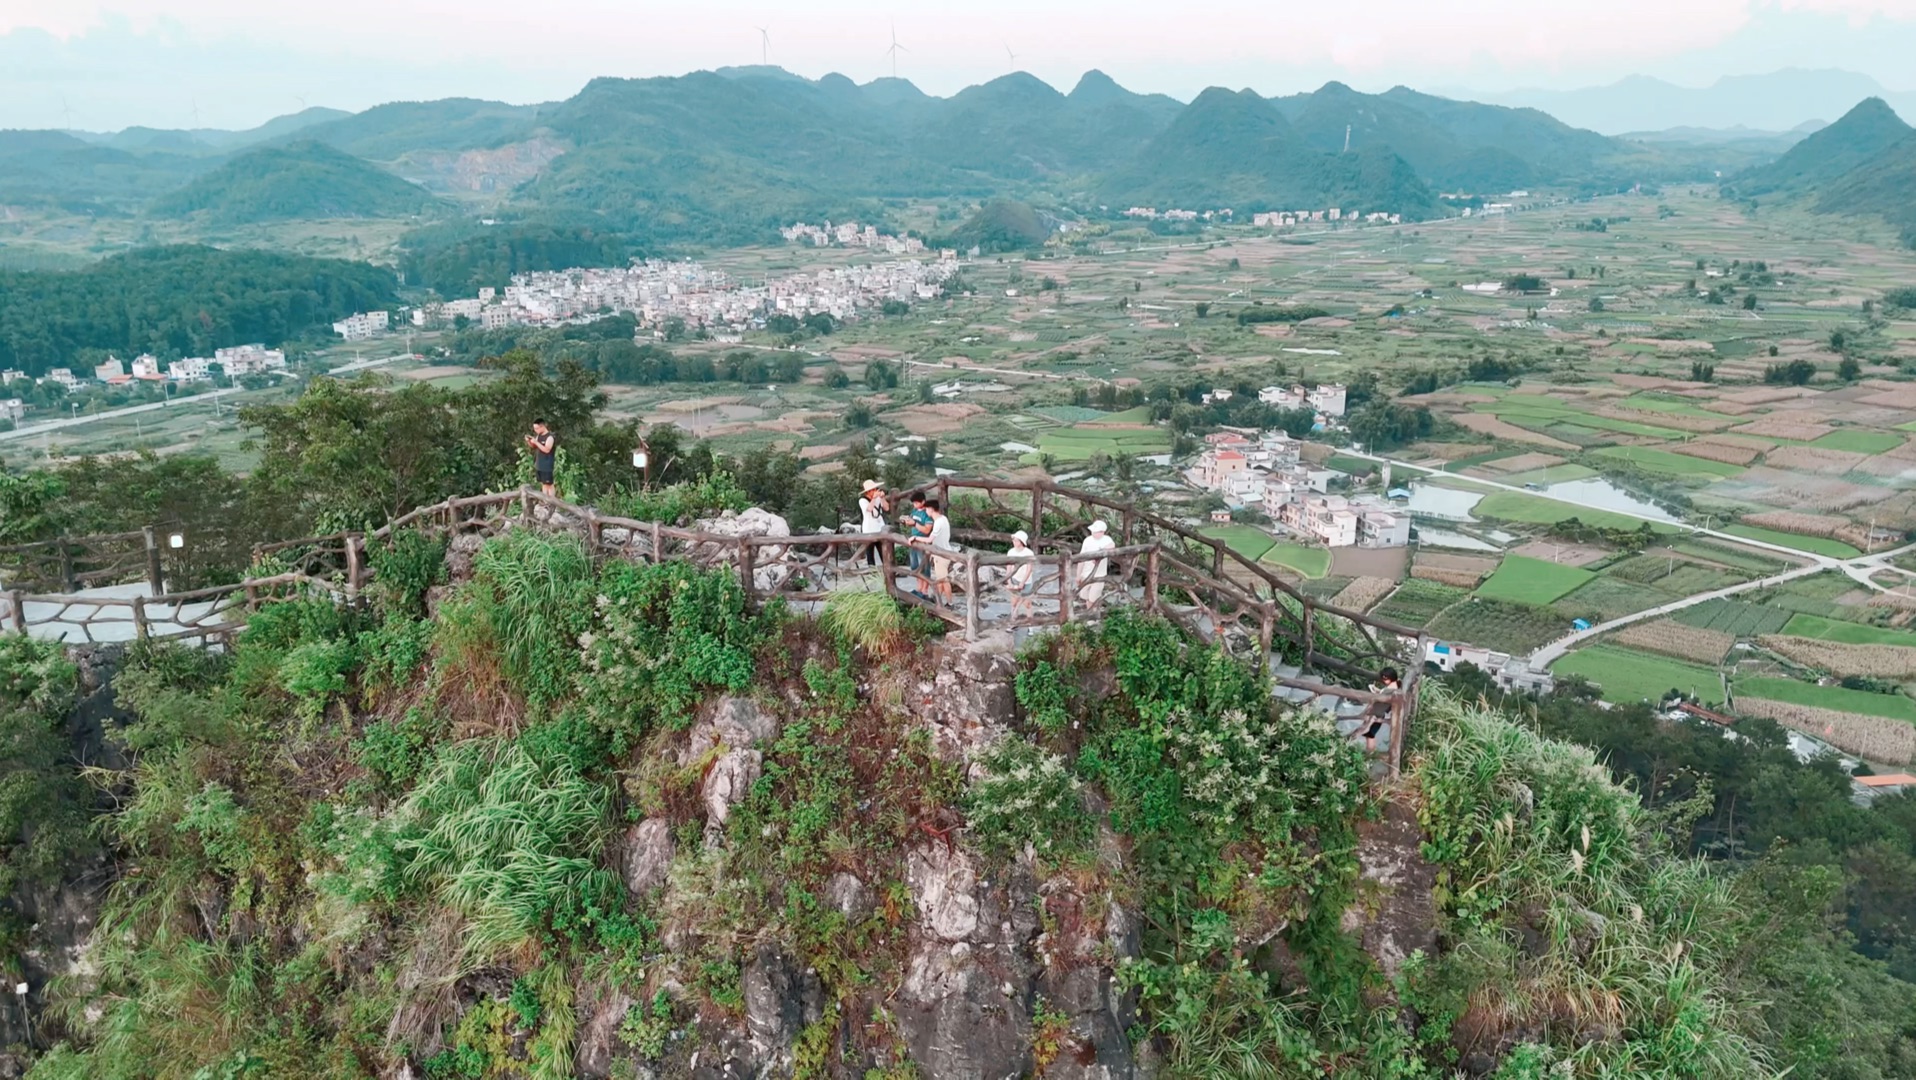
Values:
[(1156, 566)]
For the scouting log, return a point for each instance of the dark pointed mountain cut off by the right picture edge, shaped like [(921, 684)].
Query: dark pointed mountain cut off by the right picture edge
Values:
[(1865, 164)]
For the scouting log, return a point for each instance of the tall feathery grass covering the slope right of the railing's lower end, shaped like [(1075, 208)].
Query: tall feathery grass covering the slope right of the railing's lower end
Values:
[(1572, 922)]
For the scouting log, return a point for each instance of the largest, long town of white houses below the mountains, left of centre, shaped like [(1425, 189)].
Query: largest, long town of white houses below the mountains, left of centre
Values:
[(698, 298)]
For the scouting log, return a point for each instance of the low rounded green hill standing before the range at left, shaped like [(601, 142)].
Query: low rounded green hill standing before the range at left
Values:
[(298, 181)]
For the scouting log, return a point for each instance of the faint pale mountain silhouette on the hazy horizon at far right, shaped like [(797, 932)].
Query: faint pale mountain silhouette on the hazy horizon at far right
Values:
[(1775, 102)]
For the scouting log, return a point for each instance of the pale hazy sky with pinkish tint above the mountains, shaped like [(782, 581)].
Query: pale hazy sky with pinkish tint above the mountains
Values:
[(240, 62)]
